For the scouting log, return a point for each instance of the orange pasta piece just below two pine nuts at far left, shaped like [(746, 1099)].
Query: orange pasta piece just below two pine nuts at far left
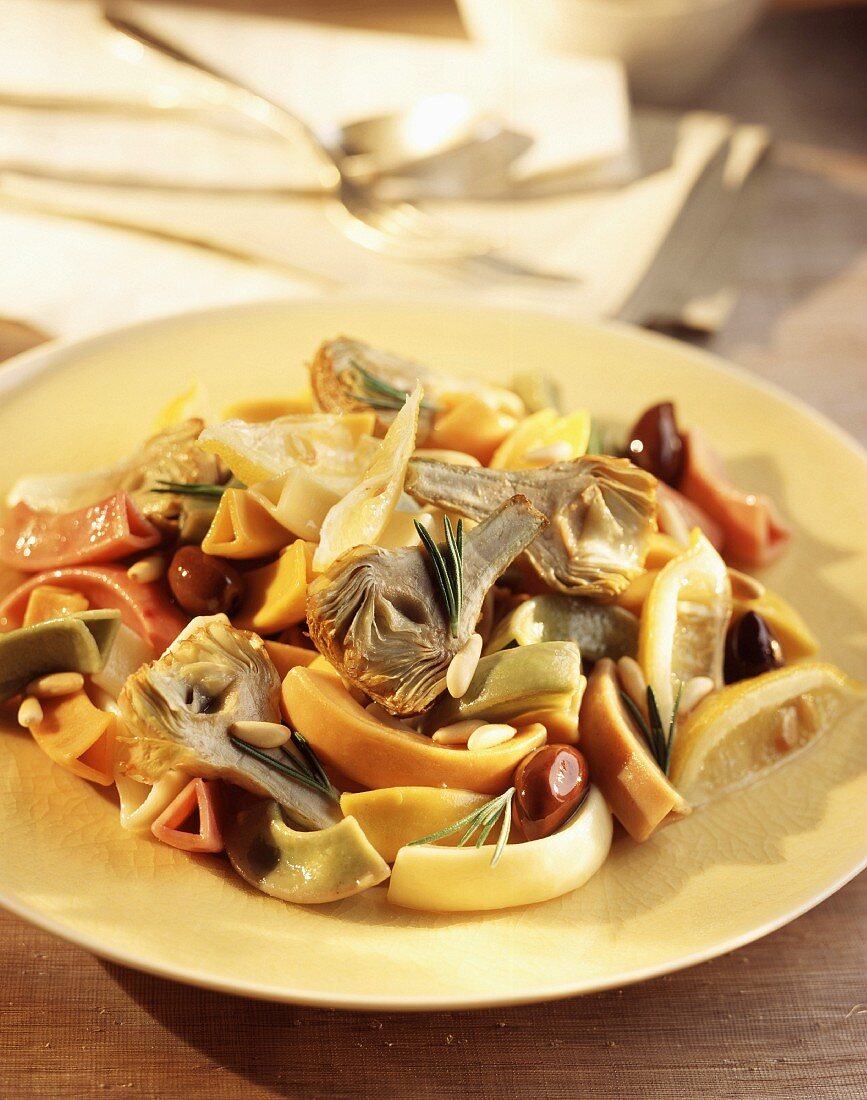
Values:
[(78, 736)]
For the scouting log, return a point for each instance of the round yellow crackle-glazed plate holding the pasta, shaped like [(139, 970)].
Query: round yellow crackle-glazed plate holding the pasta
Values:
[(723, 877)]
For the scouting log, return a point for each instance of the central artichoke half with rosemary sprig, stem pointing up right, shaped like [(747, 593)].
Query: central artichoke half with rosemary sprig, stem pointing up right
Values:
[(379, 615)]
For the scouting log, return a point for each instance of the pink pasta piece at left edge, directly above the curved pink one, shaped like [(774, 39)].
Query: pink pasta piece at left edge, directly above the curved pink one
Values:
[(114, 529)]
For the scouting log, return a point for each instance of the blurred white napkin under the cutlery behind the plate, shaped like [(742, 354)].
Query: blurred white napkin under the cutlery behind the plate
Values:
[(607, 243)]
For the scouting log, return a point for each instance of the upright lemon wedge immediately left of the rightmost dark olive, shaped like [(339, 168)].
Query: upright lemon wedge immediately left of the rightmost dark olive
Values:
[(684, 623)]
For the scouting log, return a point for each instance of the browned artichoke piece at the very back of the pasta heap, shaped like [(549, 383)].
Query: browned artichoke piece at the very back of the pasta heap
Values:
[(349, 376)]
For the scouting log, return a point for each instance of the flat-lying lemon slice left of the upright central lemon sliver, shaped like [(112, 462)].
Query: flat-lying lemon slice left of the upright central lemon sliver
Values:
[(257, 453)]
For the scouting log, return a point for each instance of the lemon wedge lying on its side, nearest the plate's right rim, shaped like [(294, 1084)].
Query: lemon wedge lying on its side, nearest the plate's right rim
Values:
[(740, 733)]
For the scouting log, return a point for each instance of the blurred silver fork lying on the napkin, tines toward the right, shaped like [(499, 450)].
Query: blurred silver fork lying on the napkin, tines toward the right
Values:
[(393, 228)]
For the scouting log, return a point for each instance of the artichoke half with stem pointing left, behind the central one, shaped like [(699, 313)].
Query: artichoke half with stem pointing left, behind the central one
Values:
[(601, 510)]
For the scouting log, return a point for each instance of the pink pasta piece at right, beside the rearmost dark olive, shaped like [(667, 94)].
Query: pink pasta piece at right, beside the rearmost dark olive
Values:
[(754, 532)]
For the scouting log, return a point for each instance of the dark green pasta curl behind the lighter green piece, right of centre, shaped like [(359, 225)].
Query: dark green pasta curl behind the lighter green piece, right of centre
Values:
[(598, 630)]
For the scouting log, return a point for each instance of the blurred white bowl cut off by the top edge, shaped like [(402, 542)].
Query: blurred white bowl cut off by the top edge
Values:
[(671, 48)]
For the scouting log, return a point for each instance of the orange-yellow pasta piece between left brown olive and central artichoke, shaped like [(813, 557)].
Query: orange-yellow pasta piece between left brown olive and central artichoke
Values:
[(277, 595)]
